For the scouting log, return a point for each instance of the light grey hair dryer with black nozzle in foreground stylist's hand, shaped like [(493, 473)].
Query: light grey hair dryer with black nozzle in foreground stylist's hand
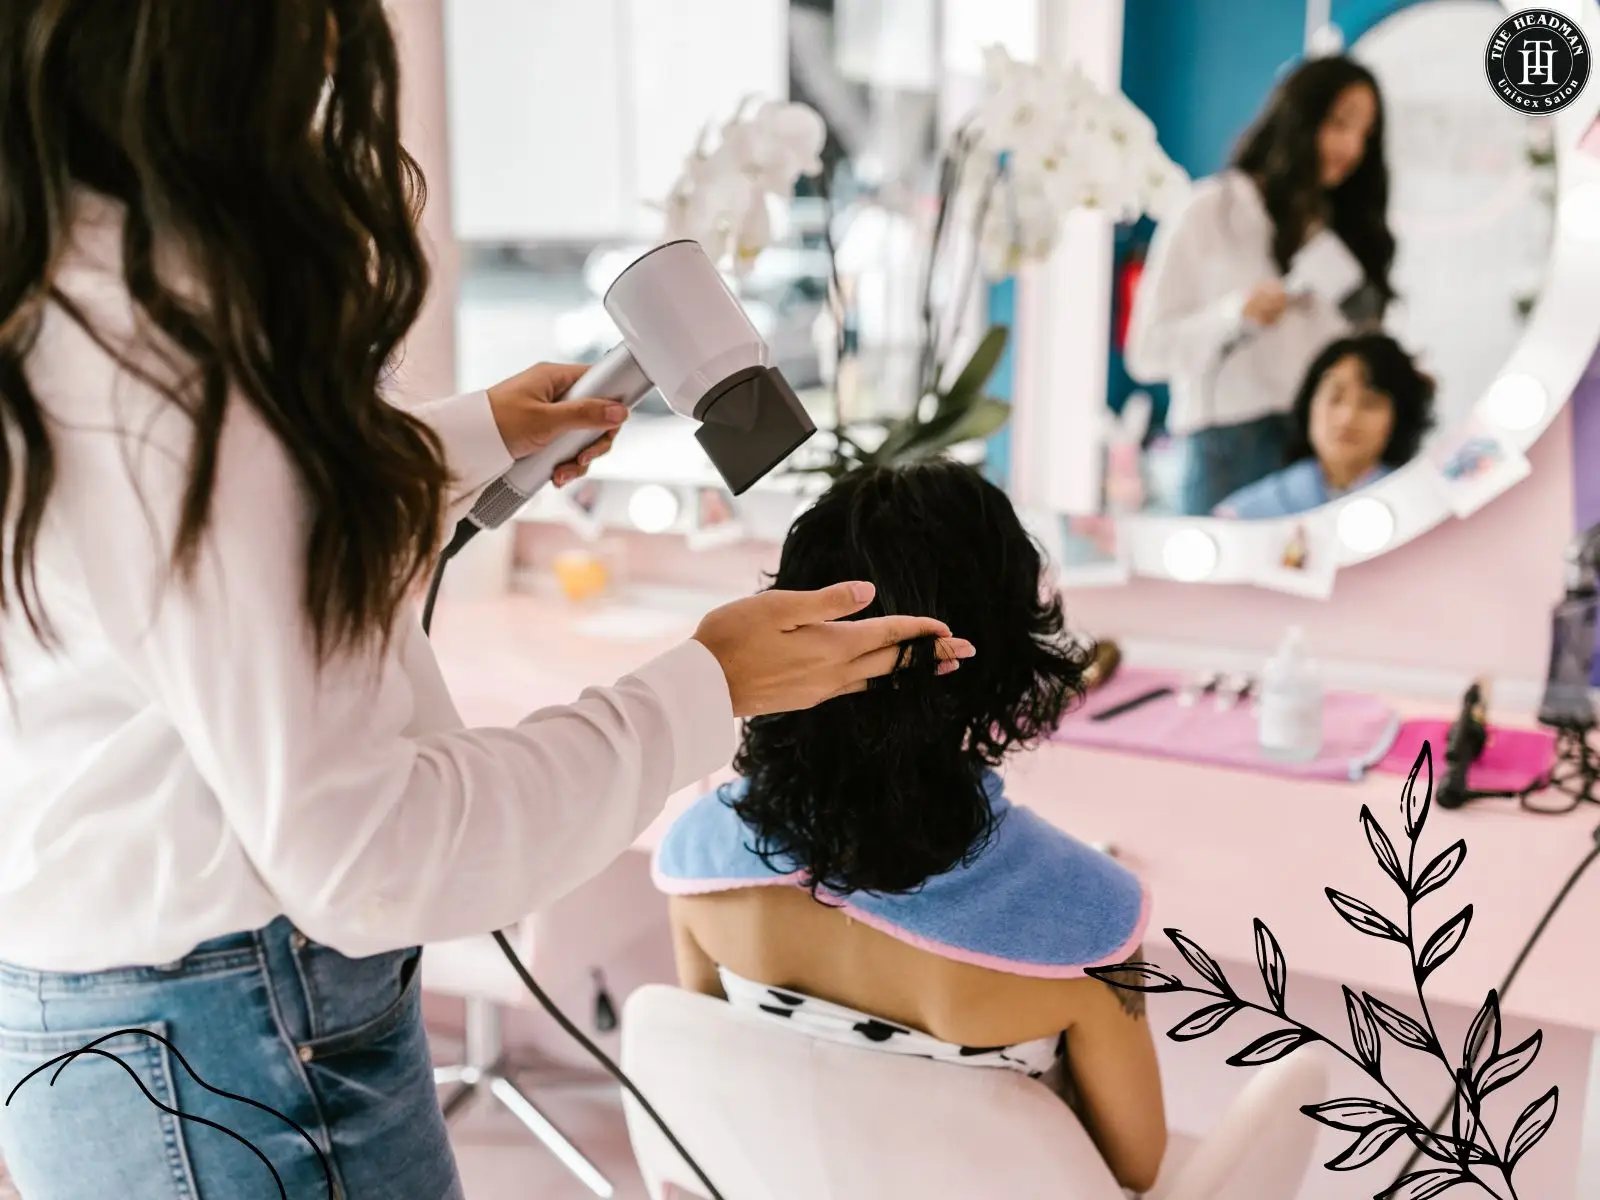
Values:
[(684, 334)]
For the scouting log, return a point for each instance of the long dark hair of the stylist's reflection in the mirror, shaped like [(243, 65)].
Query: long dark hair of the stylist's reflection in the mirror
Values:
[(1281, 153)]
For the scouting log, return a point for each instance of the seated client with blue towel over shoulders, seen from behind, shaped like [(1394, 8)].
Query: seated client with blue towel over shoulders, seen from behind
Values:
[(868, 881)]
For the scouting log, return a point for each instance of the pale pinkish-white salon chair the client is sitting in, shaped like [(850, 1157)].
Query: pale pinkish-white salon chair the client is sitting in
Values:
[(772, 1114)]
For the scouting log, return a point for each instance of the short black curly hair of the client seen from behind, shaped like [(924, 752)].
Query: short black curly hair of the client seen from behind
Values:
[(884, 790)]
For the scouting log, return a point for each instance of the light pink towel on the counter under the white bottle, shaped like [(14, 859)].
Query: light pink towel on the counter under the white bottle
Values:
[(1358, 730)]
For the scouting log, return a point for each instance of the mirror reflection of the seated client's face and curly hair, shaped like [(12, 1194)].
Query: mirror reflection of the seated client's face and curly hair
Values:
[(1361, 412)]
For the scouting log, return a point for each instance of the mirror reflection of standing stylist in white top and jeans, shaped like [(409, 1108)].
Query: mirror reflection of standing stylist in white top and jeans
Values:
[(1222, 316)]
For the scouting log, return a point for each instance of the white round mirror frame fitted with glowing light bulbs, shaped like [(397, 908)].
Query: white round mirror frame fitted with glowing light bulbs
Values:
[(1551, 356)]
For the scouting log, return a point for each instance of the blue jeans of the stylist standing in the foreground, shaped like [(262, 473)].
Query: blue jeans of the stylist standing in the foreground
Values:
[(335, 1046)]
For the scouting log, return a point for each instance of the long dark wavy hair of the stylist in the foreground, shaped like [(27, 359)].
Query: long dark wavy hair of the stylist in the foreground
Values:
[(218, 132)]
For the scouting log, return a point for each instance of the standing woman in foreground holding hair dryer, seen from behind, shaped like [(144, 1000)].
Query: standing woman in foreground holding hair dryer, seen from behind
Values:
[(234, 793)]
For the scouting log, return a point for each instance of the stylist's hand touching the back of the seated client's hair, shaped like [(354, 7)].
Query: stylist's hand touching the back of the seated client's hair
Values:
[(785, 652)]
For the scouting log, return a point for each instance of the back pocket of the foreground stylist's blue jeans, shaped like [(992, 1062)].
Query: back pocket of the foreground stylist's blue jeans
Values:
[(95, 1124)]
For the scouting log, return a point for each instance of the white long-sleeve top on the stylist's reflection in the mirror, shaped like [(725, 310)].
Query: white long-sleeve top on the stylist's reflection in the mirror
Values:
[(1188, 327)]
